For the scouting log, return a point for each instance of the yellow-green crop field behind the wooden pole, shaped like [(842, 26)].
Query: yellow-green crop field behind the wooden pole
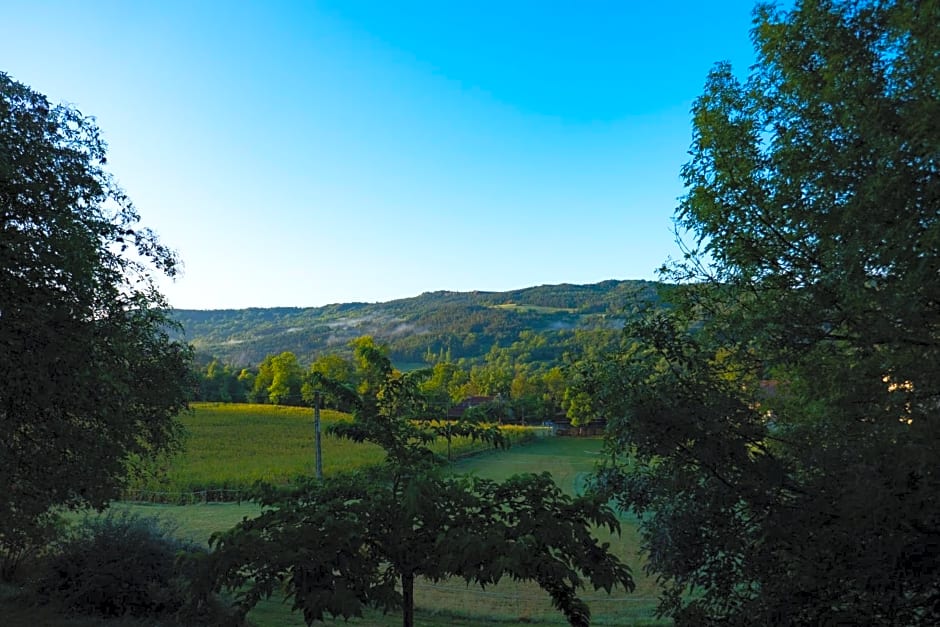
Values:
[(228, 447)]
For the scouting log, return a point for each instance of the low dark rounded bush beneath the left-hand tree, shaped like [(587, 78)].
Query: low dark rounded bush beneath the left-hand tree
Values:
[(115, 565)]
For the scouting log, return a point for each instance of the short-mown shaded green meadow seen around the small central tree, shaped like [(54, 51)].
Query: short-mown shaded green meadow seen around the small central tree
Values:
[(453, 603)]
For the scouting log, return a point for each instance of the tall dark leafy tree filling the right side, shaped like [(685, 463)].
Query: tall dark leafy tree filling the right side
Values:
[(777, 429)]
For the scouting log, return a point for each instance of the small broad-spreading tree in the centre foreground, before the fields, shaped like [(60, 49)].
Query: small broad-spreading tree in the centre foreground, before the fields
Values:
[(346, 543)]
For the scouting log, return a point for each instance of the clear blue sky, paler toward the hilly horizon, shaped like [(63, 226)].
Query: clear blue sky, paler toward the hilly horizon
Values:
[(306, 153)]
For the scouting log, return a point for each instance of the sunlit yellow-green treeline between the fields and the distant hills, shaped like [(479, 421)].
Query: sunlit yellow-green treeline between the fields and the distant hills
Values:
[(527, 381)]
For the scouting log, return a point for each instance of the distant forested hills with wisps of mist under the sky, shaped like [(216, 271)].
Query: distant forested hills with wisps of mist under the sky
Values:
[(456, 325)]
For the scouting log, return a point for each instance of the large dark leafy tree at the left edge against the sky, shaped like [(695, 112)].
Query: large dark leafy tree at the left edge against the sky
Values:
[(91, 381)]
